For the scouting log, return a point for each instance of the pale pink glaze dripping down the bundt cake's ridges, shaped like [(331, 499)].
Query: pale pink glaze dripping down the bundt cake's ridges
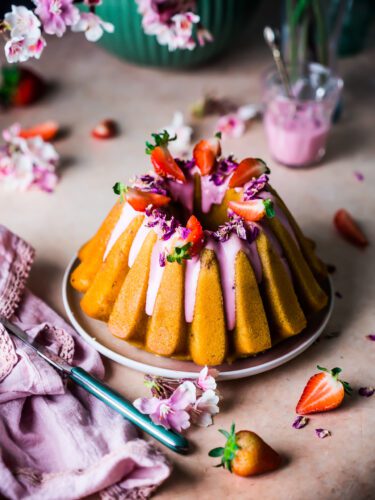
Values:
[(225, 251)]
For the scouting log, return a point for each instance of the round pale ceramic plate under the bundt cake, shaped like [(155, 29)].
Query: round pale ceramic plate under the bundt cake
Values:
[(97, 335)]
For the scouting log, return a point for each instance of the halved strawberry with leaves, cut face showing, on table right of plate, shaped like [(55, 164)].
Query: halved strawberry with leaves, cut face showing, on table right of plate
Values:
[(324, 391)]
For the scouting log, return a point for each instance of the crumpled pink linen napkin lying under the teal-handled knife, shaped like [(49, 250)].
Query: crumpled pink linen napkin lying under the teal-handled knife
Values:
[(56, 440)]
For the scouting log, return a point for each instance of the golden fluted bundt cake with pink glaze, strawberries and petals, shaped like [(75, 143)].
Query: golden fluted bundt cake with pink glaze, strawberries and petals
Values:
[(200, 259)]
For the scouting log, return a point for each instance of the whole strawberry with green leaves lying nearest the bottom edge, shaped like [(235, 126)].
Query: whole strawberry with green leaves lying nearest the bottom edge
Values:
[(246, 454)]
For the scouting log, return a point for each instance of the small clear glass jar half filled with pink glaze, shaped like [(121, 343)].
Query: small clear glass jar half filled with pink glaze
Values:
[(297, 126)]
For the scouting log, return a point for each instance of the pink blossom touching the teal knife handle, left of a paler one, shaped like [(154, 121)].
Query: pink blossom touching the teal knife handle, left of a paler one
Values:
[(171, 413)]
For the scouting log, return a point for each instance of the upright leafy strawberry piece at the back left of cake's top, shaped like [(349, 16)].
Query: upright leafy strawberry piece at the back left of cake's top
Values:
[(163, 162)]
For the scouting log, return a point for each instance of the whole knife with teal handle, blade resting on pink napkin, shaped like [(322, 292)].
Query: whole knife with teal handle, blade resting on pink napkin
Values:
[(168, 438)]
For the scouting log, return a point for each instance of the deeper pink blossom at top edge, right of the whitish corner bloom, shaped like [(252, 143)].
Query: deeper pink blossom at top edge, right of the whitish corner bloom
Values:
[(56, 15)]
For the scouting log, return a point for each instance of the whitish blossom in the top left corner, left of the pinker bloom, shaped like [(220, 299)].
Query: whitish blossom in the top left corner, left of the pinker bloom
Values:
[(23, 24)]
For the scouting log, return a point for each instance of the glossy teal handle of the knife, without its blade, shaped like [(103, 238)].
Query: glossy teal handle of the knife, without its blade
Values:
[(174, 441)]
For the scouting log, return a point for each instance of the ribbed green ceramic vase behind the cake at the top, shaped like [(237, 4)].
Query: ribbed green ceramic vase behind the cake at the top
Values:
[(225, 19)]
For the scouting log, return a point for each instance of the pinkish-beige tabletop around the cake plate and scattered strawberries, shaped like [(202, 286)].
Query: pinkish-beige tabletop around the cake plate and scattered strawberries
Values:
[(93, 86)]
